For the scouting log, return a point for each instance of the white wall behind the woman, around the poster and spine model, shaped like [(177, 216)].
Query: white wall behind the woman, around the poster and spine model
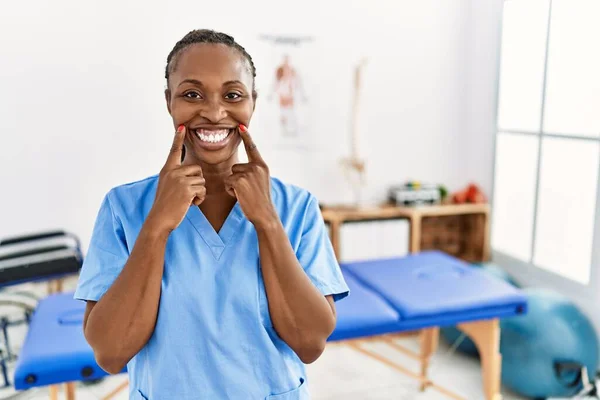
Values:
[(82, 107)]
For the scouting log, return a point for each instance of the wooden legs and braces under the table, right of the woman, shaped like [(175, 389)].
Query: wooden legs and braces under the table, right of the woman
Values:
[(485, 334)]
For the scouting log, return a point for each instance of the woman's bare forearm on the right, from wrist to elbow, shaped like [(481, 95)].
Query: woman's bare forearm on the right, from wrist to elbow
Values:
[(301, 315)]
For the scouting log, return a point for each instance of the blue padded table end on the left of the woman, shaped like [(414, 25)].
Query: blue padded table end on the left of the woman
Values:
[(55, 349)]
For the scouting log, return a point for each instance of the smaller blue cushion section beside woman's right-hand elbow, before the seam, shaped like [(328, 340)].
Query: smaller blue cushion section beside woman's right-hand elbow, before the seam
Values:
[(364, 313)]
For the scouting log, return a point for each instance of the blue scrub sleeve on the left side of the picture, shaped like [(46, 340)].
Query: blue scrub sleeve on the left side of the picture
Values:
[(106, 255)]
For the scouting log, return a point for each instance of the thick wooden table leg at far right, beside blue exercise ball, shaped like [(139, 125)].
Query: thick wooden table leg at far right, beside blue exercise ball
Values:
[(486, 336)]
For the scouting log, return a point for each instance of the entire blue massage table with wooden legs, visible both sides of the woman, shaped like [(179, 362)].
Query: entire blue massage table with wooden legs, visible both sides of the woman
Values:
[(421, 292)]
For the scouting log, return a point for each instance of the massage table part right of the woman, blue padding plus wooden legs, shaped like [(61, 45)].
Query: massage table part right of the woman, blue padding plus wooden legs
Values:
[(424, 292)]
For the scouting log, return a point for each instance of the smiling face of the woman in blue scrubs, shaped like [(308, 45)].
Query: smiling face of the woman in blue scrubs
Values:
[(210, 92)]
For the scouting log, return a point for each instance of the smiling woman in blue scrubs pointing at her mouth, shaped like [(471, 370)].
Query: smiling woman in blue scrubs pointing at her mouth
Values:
[(211, 279)]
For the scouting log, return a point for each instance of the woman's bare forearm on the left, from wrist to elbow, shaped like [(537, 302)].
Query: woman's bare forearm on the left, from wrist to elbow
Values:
[(122, 321)]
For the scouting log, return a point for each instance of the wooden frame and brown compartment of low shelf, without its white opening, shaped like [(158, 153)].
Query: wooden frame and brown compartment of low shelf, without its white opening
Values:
[(459, 229)]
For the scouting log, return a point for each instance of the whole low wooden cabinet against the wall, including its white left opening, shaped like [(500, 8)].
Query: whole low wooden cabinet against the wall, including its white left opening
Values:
[(461, 230)]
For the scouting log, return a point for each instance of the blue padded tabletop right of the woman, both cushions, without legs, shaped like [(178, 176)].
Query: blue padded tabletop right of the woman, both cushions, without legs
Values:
[(426, 289)]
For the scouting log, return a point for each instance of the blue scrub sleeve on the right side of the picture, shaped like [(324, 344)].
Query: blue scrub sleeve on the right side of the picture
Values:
[(315, 254)]
